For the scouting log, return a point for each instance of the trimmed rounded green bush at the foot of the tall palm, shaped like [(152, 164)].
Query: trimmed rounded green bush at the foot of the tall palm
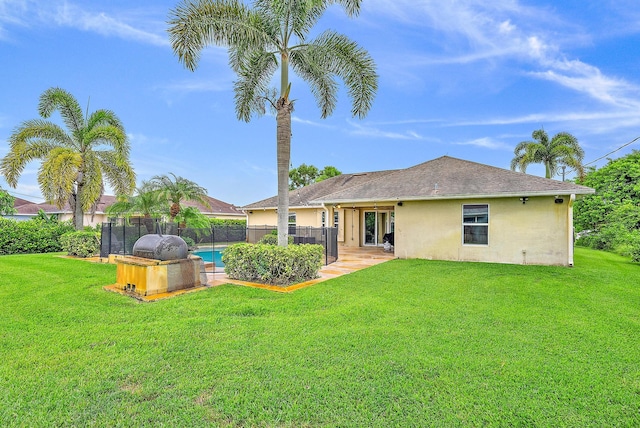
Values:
[(270, 264)]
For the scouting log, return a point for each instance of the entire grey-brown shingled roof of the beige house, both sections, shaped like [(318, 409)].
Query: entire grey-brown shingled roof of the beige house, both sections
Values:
[(441, 178)]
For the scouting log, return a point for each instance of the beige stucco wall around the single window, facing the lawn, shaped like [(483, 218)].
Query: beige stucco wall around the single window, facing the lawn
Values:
[(537, 232)]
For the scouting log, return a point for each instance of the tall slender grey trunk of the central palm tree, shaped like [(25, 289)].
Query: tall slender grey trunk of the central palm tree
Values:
[(283, 119)]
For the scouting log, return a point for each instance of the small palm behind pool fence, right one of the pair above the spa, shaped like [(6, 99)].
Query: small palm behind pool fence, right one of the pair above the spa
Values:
[(177, 190)]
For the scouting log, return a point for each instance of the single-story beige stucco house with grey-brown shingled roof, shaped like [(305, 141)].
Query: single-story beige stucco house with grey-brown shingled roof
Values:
[(443, 209)]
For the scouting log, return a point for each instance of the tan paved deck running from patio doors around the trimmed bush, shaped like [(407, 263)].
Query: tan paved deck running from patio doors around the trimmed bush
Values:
[(349, 260)]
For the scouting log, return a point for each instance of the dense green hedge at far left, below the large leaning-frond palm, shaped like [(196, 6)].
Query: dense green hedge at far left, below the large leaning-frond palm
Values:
[(32, 236)]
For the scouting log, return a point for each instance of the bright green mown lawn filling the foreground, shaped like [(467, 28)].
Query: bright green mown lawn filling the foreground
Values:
[(405, 343)]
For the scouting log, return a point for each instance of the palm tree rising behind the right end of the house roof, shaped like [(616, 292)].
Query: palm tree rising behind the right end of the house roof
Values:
[(562, 149)]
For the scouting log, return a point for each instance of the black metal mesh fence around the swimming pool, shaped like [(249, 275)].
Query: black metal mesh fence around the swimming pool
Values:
[(119, 236)]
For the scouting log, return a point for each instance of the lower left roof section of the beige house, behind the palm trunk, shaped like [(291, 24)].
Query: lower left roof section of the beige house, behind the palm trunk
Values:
[(307, 196)]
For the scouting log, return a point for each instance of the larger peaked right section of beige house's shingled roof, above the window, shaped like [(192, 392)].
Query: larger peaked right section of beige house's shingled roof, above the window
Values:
[(451, 178)]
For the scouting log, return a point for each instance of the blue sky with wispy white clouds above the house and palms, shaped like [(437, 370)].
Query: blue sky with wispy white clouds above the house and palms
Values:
[(464, 78)]
